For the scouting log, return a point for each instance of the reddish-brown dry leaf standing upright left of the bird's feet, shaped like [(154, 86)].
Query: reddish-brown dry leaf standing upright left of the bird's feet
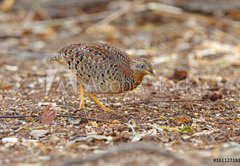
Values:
[(48, 116)]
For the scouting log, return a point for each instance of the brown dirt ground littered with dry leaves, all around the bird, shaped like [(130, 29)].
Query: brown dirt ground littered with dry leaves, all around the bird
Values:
[(188, 115)]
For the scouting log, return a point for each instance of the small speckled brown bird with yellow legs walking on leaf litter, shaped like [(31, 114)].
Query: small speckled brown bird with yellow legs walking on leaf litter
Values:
[(101, 68)]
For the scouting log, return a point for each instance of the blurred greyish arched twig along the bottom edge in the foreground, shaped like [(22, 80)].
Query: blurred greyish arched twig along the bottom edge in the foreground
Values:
[(128, 148)]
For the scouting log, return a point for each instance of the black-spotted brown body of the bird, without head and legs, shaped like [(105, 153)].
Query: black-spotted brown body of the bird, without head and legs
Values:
[(100, 67)]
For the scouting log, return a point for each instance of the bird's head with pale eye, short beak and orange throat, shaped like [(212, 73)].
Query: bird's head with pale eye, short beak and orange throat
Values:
[(141, 67)]
